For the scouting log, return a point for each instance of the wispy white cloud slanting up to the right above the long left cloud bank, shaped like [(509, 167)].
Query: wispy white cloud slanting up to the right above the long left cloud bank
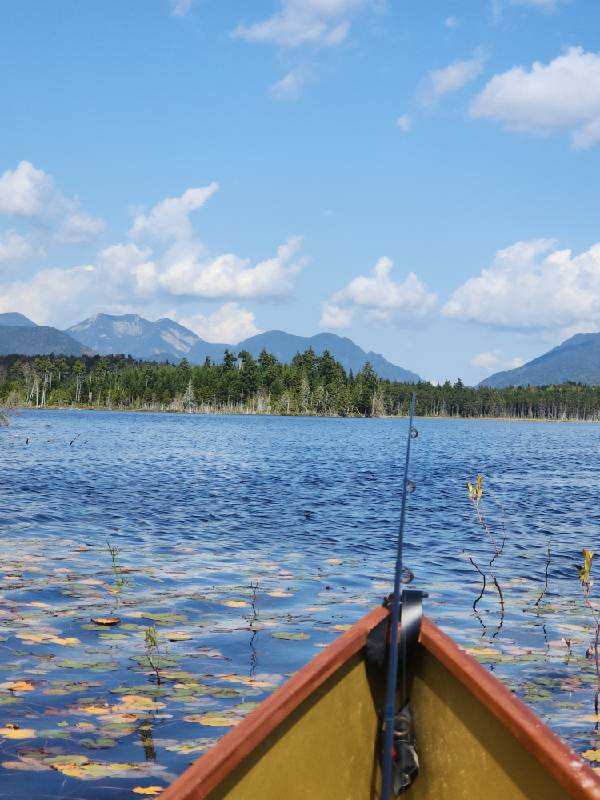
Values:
[(169, 219)]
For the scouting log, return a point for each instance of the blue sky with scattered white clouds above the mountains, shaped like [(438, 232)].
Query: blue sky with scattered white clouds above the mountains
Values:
[(421, 177)]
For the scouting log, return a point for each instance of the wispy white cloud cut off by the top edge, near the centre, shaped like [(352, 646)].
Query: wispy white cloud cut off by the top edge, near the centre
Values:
[(301, 22)]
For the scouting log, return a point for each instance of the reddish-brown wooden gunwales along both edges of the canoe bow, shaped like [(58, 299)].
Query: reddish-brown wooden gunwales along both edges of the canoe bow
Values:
[(208, 771)]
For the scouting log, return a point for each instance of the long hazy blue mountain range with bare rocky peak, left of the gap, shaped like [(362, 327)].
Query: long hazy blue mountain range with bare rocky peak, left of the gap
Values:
[(166, 340)]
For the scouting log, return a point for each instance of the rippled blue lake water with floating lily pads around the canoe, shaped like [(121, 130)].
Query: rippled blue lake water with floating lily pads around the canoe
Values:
[(232, 548)]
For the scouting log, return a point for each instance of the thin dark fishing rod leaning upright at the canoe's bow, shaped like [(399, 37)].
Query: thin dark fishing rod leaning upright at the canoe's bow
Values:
[(396, 601)]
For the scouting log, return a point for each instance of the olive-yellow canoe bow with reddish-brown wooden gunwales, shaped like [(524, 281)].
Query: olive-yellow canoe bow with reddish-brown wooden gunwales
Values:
[(317, 735)]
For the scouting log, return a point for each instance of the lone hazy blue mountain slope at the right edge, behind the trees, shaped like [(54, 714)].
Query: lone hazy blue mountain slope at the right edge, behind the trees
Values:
[(577, 359)]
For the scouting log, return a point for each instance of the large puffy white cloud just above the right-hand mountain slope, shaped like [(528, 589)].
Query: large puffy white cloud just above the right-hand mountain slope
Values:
[(531, 285)]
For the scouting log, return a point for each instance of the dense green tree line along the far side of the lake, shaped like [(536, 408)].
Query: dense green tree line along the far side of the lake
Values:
[(310, 385)]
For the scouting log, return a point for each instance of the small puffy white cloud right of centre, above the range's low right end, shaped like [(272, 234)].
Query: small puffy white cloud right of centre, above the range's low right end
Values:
[(380, 297)]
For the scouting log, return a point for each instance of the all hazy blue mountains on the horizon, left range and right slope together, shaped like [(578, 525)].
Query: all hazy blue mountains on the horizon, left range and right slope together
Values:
[(577, 359)]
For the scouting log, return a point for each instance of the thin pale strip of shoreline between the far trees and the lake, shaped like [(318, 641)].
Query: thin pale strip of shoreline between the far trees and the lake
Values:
[(7, 410)]
